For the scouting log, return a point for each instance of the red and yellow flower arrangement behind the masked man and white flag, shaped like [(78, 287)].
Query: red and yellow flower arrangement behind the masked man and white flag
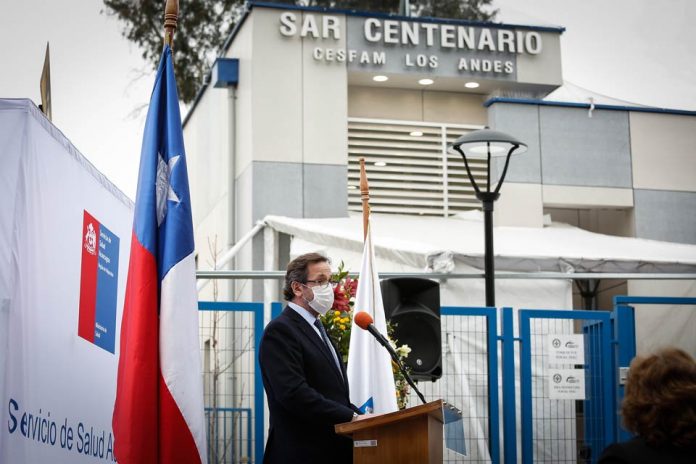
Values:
[(338, 322)]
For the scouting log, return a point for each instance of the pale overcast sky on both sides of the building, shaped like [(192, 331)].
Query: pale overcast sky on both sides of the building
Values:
[(639, 51)]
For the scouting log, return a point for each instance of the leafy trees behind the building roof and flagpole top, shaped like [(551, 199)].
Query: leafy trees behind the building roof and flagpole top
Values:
[(205, 24)]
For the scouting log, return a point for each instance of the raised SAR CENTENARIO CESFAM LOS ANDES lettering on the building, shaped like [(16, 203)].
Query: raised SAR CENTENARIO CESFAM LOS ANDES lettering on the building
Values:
[(393, 45)]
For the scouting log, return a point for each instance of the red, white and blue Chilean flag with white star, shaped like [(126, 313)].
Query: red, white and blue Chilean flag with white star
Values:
[(158, 414)]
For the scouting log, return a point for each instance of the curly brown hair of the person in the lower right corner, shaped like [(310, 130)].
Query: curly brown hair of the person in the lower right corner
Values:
[(660, 402)]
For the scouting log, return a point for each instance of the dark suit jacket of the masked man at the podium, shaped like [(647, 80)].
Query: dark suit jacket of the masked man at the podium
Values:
[(306, 395)]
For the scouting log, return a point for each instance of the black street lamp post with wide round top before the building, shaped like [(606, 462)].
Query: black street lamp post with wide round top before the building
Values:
[(487, 144)]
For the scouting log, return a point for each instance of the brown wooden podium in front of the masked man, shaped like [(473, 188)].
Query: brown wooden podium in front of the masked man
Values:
[(413, 435)]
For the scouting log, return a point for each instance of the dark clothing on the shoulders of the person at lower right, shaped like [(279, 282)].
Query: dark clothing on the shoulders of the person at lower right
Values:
[(637, 451)]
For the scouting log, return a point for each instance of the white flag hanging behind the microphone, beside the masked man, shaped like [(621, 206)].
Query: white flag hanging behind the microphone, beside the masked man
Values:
[(370, 374)]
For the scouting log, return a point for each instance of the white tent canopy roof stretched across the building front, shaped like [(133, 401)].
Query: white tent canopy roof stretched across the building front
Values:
[(434, 244)]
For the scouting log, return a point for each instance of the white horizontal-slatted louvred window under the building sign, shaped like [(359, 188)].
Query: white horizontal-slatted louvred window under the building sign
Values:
[(408, 168)]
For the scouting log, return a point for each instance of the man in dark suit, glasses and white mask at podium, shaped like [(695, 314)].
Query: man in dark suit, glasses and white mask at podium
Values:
[(303, 374)]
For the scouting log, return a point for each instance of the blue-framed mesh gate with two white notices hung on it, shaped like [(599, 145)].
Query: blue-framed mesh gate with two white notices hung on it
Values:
[(554, 436)]
